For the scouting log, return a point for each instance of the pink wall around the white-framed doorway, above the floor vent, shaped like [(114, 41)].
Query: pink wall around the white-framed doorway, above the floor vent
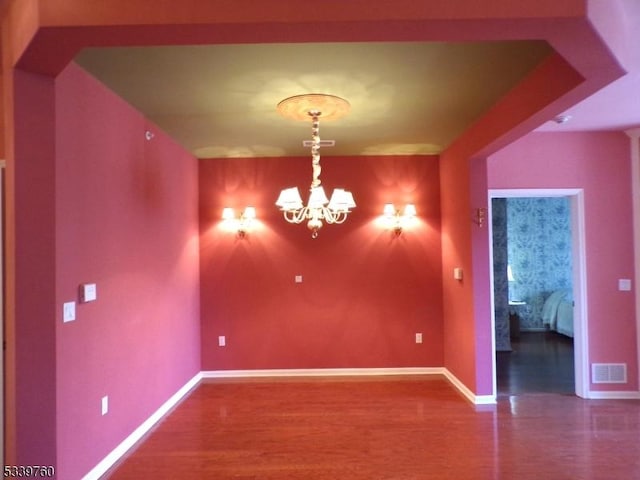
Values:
[(600, 164)]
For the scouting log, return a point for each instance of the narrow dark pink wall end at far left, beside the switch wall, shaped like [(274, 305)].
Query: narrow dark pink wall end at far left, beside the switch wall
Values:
[(33, 342)]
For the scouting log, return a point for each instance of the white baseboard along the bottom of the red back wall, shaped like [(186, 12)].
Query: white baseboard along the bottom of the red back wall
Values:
[(322, 372)]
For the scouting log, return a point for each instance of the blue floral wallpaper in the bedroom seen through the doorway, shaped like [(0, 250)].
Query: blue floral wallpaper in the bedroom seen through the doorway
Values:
[(536, 233)]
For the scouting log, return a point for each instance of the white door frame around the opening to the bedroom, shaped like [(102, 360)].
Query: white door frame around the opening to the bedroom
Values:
[(578, 251)]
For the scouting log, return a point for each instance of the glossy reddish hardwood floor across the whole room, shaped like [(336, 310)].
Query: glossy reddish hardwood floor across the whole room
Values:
[(384, 428)]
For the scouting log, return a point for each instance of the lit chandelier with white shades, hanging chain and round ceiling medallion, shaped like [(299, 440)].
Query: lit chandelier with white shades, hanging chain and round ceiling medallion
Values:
[(319, 208)]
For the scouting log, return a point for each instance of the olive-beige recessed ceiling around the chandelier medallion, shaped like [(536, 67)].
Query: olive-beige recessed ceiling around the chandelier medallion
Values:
[(220, 100)]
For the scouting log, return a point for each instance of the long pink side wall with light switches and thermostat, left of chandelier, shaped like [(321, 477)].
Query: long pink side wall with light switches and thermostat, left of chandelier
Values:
[(125, 219)]
